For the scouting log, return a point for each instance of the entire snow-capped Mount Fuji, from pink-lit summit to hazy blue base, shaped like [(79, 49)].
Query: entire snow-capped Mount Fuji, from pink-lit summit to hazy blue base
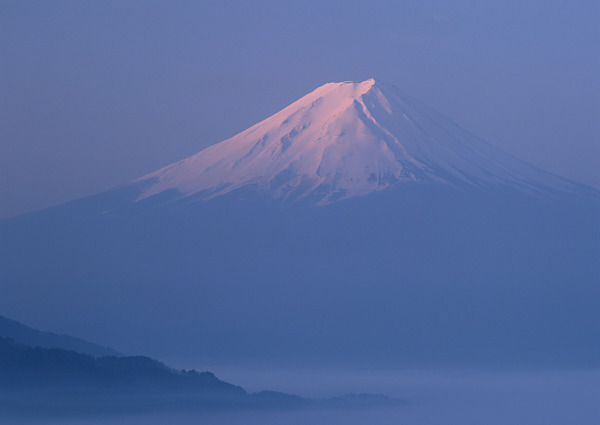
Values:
[(356, 226)]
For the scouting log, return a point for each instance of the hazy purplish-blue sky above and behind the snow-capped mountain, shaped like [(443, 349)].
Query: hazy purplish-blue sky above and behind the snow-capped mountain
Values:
[(96, 93)]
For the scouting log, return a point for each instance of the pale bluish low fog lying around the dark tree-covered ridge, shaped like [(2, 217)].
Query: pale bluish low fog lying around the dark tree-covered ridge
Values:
[(432, 398)]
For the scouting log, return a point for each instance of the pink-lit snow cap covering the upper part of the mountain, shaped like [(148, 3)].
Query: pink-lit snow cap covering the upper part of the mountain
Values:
[(344, 140)]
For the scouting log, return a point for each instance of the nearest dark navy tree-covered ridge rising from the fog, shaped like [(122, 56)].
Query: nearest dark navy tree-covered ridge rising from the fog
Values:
[(36, 381)]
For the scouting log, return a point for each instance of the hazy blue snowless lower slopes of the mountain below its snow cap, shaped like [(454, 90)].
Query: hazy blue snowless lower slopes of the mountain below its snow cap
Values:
[(416, 275)]
